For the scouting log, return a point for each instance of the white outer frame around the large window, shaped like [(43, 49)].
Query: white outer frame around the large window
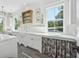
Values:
[(52, 6)]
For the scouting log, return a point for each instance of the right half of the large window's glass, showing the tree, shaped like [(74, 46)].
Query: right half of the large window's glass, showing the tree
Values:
[(59, 19)]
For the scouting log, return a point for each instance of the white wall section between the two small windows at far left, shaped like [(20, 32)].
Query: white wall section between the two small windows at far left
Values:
[(8, 22)]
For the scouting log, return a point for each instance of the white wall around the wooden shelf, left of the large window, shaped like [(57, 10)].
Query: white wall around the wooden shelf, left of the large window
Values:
[(33, 27)]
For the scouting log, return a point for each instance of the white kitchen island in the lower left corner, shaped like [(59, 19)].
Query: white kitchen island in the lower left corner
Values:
[(8, 48)]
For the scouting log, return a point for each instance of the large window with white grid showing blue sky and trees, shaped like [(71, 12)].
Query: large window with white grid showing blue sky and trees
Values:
[(55, 18)]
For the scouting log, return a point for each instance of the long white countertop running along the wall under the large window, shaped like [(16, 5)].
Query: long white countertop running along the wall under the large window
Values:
[(50, 35)]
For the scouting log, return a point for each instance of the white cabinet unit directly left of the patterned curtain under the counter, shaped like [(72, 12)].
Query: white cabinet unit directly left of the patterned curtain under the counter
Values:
[(33, 41)]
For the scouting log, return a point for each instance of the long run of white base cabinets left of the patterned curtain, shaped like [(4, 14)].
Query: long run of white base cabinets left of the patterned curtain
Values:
[(31, 40)]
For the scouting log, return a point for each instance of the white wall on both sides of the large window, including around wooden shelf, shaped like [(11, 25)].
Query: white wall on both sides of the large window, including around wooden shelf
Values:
[(69, 19)]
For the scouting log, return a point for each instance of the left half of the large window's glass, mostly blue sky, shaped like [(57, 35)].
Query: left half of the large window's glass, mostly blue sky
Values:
[(51, 19)]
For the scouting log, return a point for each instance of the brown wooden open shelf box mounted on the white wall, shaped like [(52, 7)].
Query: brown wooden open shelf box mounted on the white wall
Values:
[(27, 16)]
